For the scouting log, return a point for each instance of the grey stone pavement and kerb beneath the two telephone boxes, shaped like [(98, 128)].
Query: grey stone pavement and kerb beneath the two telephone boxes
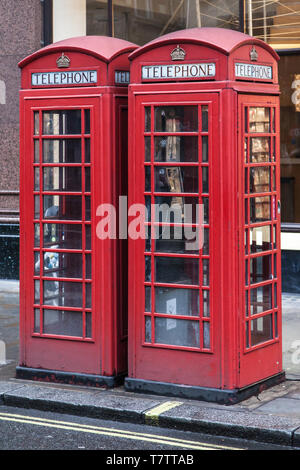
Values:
[(272, 416)]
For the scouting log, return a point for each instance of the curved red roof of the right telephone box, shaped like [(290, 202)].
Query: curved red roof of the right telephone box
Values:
[(224, 40)]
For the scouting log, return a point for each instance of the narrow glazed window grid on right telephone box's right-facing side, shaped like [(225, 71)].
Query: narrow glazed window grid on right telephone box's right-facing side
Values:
[(260, 219)]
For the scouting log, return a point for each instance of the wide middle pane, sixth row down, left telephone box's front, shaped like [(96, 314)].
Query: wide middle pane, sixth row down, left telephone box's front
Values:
[(68, 265)]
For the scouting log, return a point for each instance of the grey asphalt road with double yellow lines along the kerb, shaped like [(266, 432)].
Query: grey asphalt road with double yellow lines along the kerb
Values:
[(28, 429)]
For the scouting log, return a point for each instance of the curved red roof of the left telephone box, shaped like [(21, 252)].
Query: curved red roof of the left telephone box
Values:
[(105, 48)]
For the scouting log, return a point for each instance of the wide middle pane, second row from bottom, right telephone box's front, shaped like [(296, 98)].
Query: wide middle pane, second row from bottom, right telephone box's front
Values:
[(177, 301)]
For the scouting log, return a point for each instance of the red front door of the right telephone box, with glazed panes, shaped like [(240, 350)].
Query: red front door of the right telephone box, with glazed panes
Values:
[(173, 280)]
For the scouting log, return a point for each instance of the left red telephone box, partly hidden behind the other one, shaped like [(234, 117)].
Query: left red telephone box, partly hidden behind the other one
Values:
[(73, 139)]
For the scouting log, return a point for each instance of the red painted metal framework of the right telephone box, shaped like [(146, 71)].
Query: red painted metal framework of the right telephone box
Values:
[(219, 358)]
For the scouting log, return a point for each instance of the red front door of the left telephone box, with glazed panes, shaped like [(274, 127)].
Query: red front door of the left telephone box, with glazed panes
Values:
[(61, 327)]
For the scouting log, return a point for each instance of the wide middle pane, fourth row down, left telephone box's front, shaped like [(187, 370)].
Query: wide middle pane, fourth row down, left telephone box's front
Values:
[(62, 207)]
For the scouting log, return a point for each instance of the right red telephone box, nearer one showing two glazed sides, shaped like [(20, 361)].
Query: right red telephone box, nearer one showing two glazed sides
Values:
[(205, 319)]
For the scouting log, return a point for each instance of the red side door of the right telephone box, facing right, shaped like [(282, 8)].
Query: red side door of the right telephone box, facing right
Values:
[(260, 274)]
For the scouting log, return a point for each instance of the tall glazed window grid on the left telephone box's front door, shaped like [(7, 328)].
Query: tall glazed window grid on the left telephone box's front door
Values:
[(63, 259)]
